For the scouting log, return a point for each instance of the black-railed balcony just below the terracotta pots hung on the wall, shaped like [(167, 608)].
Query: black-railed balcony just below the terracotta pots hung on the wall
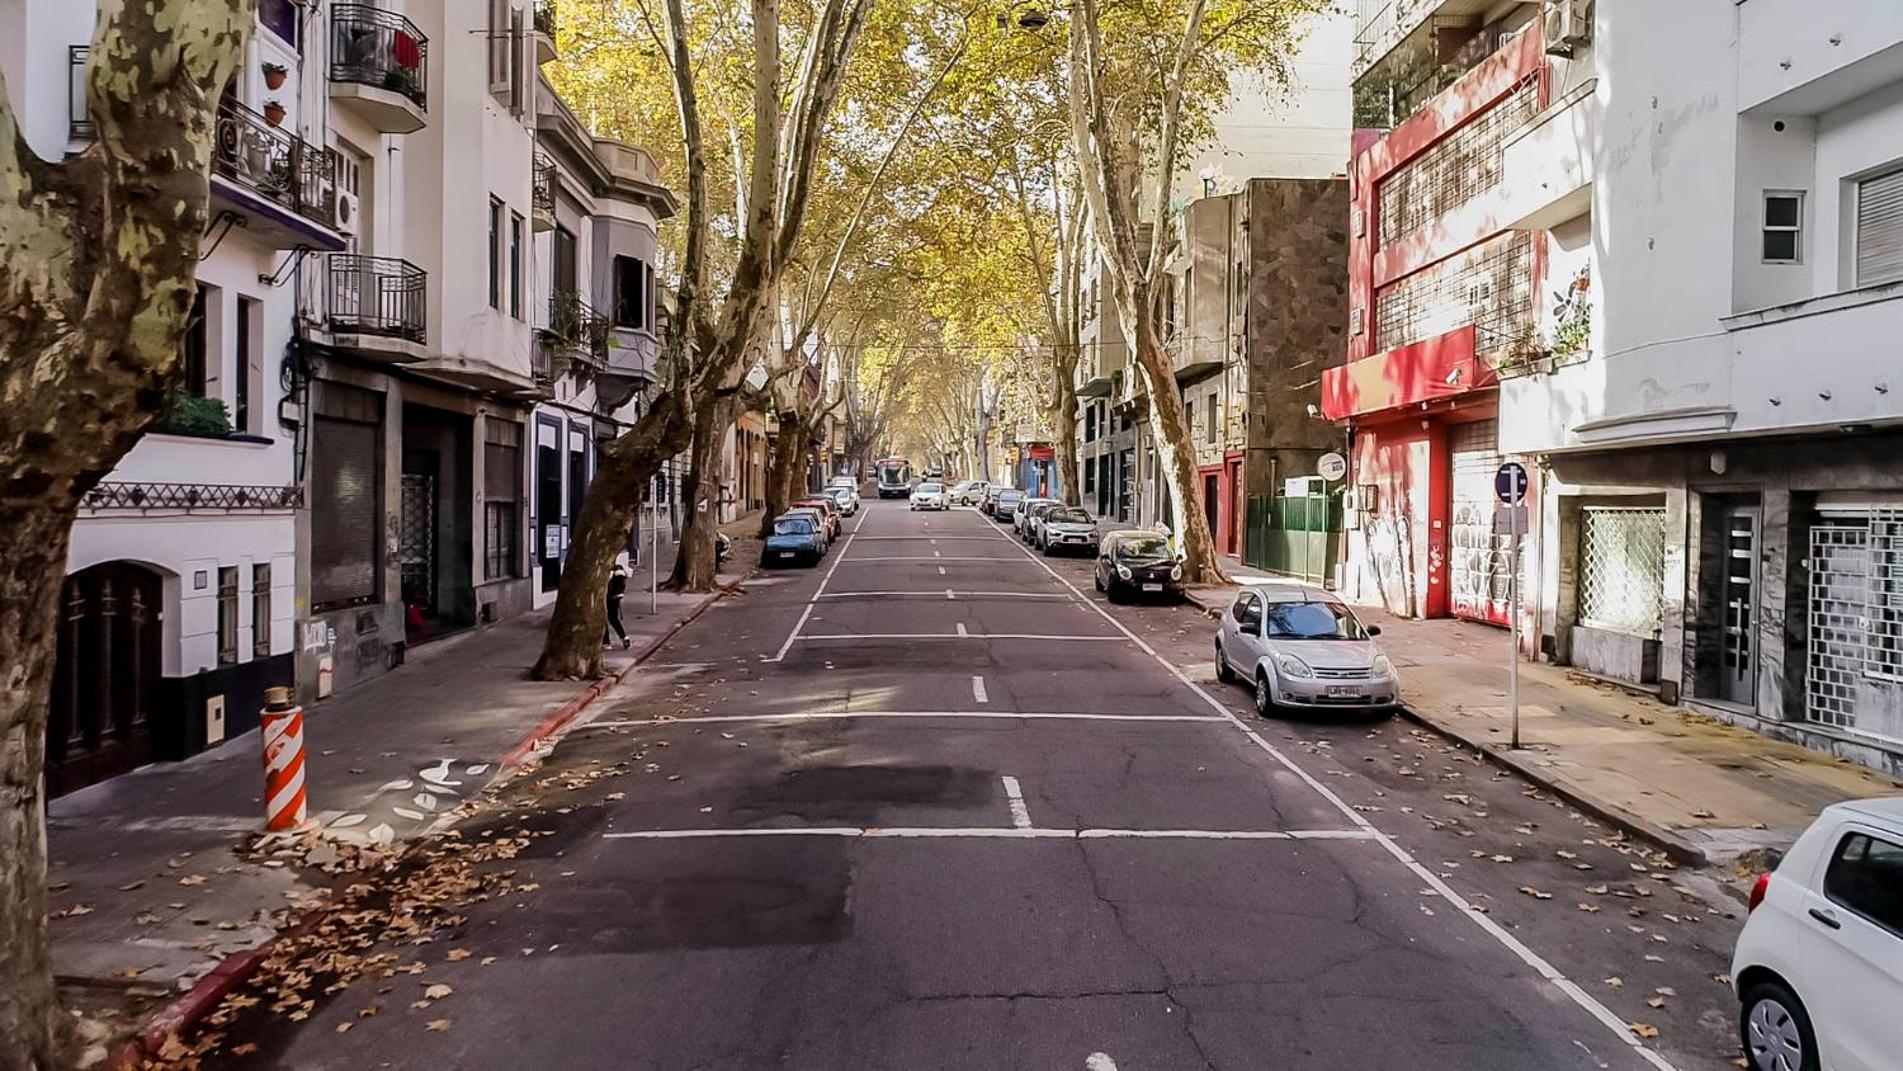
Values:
[(281, 184)]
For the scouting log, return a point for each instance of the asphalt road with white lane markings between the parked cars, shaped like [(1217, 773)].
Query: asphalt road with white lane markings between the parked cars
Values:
[(935, 806)]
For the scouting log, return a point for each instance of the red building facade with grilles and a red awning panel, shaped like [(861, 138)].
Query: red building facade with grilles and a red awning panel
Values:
[(1440, 292)]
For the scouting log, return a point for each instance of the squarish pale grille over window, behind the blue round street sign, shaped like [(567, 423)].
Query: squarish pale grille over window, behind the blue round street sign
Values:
[(1622, 570)]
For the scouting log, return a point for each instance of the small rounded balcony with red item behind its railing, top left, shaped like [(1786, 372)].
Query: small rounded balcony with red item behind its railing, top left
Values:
[(380, 68)]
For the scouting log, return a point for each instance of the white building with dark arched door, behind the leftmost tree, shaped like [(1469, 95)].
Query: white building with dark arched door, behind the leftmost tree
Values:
[(182, 594)]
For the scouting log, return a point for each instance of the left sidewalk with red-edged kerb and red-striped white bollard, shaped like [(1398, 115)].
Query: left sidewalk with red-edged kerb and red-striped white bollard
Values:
[(147, 882)]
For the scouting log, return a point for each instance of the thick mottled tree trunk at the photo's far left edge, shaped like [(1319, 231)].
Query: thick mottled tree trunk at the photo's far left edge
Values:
[(98, 258)]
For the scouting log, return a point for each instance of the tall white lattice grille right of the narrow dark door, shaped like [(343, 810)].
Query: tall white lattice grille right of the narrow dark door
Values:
[(1839, 587)]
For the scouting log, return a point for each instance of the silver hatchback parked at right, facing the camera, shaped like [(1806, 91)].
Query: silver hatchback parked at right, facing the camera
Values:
[(1303, 648)]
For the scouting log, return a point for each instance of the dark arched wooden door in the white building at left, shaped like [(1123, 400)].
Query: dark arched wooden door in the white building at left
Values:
[(106, 674)]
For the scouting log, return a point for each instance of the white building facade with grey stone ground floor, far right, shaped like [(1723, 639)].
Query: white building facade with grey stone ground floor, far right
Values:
[(1716, 395)]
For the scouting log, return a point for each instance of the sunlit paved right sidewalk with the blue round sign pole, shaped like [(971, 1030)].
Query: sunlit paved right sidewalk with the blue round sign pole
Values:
[(1702, 789)]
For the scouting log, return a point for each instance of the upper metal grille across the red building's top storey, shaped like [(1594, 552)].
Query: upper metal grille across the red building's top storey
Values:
[(1457, 168)]
